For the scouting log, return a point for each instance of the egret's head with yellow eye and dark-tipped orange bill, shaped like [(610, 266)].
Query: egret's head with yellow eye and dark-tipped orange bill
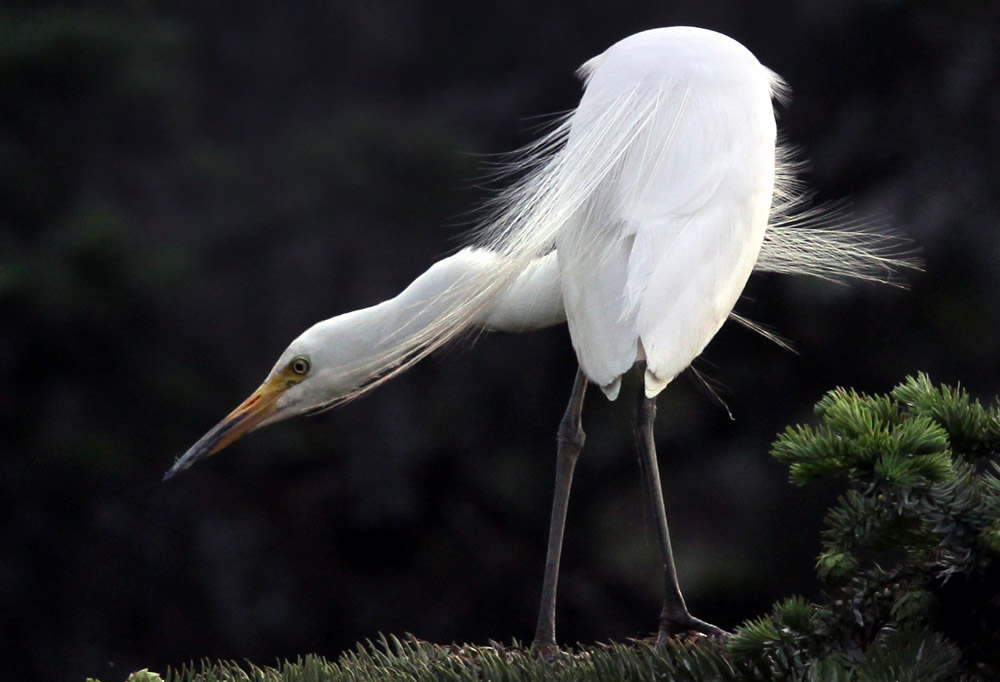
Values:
[(302, 380)]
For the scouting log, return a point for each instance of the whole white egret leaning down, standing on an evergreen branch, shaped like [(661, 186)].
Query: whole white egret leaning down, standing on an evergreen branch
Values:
[(638, 221)]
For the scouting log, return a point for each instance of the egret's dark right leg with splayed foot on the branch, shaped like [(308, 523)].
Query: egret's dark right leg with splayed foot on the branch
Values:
[(675, 617)]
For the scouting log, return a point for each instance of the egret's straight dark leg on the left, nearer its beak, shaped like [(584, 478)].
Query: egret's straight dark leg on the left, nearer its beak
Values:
[(570, 442)]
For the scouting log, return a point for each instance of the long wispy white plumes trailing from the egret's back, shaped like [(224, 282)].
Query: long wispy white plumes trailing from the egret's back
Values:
[(556, 175)]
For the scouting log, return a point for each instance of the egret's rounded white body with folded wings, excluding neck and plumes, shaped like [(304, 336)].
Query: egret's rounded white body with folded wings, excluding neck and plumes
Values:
[(653, 261)]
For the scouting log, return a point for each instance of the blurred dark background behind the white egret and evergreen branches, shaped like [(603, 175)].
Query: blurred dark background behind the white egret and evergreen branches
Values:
[(185, 186)]
